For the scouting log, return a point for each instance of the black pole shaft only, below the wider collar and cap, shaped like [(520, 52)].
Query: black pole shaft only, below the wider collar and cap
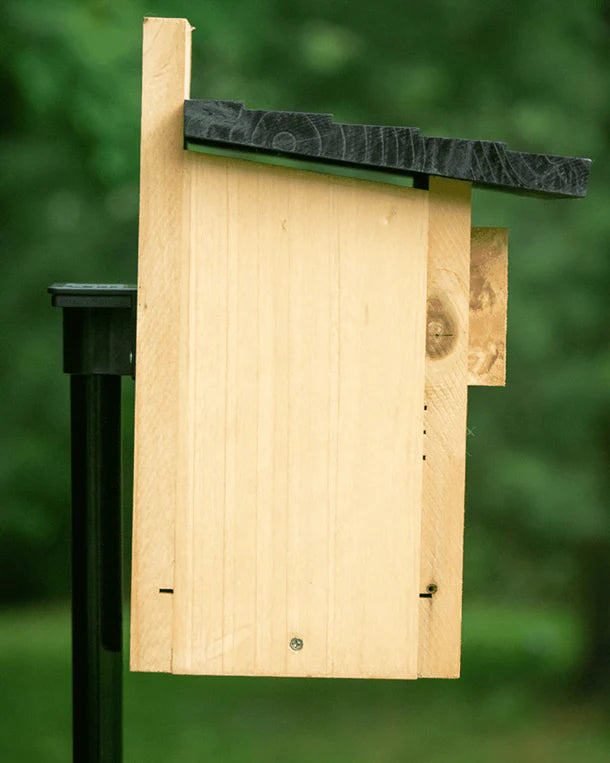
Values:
[(96, 568)]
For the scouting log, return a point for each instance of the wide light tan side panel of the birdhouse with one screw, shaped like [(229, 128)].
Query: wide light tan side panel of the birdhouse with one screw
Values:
[(305, 399)]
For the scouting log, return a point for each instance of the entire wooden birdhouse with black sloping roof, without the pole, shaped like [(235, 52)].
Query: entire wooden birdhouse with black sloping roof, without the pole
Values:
[(305, 341)]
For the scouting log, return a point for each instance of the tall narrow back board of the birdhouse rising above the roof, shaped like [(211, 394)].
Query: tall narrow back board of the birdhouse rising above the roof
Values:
[(162, 291)]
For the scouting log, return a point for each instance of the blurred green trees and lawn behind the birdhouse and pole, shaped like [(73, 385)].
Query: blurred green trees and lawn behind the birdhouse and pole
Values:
[(533, 73)]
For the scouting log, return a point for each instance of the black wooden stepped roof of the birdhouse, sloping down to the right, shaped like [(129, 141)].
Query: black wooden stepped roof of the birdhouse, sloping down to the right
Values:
[(393, 149)]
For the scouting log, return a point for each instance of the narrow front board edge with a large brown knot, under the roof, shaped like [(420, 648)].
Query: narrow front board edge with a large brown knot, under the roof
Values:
[(445, 428)]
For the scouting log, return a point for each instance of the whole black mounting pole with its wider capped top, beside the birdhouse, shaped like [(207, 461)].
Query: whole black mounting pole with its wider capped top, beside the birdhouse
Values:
[(99, 348)]
